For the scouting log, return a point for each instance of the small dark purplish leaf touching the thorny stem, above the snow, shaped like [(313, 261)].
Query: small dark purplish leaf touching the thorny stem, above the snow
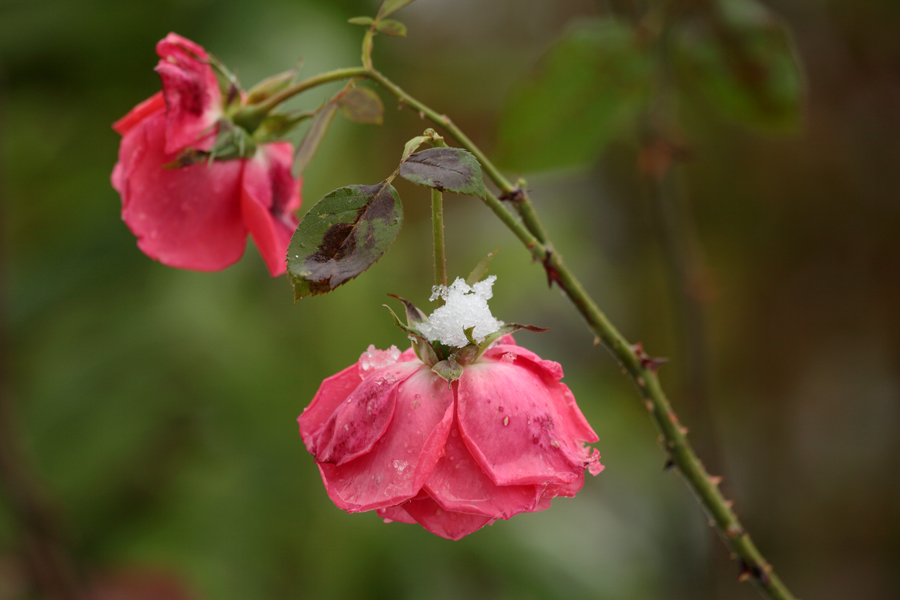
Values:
[(445, 169)]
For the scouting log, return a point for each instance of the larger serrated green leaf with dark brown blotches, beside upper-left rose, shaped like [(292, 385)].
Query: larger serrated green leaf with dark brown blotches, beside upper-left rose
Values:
[(342, 236)]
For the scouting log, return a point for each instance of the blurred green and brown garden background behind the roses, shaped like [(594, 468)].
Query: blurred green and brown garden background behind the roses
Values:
[(154, 410)]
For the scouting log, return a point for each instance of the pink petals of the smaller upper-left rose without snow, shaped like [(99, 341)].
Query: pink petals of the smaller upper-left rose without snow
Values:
[(198, 216)]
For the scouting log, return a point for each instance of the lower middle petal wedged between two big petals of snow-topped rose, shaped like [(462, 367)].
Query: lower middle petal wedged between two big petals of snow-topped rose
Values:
[(459, 484)]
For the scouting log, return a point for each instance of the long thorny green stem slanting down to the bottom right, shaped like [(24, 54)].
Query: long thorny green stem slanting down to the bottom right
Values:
[(641, 368)]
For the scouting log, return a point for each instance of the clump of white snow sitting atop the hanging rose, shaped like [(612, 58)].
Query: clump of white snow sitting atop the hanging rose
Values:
[(464, 307)]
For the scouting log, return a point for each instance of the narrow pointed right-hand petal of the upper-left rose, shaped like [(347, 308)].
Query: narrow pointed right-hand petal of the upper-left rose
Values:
[(269, 195)]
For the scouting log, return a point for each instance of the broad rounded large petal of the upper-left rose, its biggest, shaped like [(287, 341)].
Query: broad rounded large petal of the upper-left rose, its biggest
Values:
[(188, 217)]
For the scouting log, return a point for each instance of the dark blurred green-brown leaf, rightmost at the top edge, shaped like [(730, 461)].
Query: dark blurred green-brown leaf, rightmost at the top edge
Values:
[(742, 62)]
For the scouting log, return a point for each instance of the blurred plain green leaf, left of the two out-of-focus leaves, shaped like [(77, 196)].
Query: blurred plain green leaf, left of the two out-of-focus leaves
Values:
[(591, 86)]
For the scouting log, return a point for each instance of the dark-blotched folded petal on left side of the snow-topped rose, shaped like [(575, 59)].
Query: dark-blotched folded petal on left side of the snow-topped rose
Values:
[(358, 423)]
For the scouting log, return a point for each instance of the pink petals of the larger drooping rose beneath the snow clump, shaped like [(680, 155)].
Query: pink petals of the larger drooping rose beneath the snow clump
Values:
[(390, 435)]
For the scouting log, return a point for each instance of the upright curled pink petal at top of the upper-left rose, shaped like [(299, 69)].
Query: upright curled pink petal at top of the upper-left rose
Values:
[(191, 91)]
